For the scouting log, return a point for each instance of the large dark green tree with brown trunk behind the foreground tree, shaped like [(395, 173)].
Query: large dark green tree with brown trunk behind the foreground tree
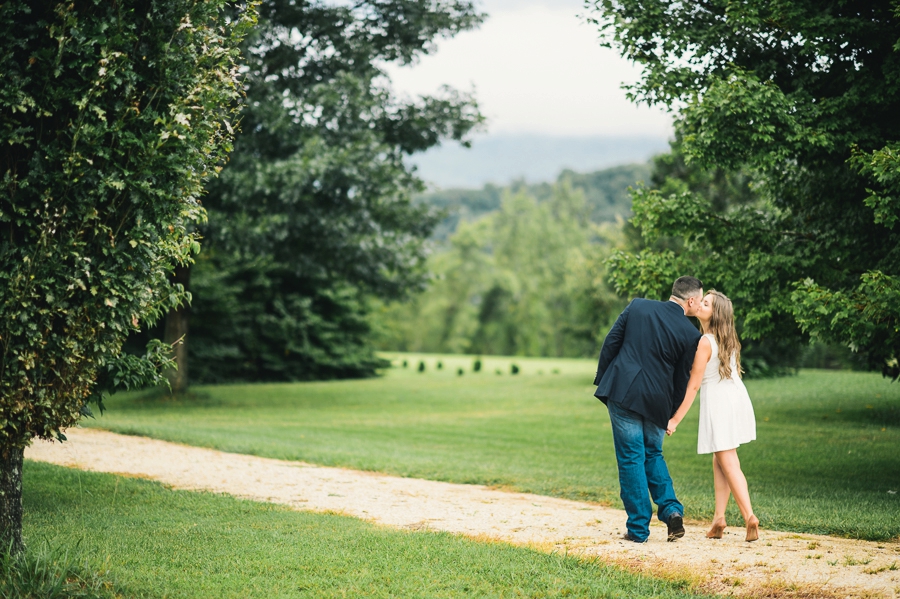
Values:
[(313, 215)]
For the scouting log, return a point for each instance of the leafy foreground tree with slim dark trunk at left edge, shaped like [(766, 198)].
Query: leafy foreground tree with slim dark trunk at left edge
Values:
[(112, 115)]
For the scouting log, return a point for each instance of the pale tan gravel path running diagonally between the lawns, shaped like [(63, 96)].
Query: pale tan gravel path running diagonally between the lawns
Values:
[(779, 564)]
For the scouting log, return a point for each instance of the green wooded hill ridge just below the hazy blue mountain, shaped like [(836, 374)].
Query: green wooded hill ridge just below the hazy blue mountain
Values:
[(606, 193)]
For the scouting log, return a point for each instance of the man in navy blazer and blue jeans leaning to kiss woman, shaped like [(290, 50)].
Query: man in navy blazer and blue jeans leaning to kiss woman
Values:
[(642, 377)]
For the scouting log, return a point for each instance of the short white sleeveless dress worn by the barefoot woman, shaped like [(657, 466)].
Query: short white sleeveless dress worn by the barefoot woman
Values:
[(726, 414)]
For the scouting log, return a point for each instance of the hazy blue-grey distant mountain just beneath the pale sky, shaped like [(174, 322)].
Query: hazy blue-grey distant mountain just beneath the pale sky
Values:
[(500, 159)]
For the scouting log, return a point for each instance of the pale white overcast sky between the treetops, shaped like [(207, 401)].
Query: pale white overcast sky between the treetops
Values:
[(537, 68)]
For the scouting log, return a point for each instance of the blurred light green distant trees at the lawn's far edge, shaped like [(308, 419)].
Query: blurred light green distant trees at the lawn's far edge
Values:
[(527, 279)]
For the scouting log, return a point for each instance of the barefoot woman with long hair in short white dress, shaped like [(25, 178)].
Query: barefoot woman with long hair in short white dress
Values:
[(726, 414)]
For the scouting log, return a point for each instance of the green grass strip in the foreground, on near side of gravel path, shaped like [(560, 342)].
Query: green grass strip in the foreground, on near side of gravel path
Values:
[(157, 542)]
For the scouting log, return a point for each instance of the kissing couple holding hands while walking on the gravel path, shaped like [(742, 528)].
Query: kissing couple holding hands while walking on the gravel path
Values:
[(652, 364)]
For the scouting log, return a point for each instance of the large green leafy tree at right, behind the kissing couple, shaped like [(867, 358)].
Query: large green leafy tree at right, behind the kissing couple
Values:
[(804, 96)]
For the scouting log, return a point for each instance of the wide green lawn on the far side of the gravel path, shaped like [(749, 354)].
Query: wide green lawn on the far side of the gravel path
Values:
[(826, 458)]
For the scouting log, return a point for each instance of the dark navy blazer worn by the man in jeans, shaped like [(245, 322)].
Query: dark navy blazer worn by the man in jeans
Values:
[(646, 359)]
